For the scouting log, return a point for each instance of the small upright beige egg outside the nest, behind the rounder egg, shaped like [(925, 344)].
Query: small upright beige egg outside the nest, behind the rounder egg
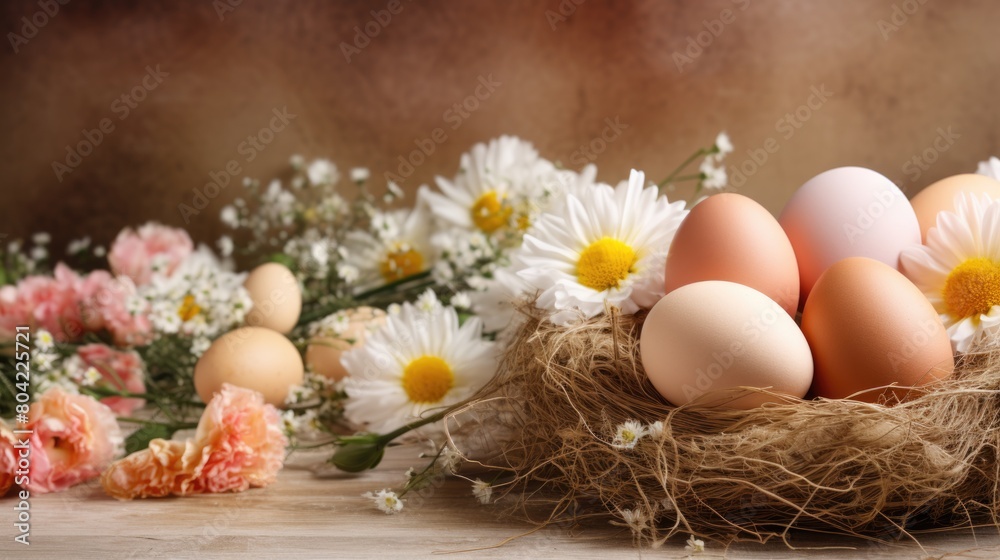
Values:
[(277, 298)]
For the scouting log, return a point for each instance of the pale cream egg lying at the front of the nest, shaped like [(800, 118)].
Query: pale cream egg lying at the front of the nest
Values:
[(705, 339)]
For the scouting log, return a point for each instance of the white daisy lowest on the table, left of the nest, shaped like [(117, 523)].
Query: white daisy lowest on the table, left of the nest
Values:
[(418, 360)]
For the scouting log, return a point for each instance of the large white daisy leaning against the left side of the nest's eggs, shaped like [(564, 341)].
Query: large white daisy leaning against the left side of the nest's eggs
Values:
[(604, 247)]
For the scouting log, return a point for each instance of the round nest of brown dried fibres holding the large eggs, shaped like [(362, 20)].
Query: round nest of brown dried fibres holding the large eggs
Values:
[(832, 466)]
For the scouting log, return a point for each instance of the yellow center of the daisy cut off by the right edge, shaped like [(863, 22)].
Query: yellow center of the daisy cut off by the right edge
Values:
[(972, 288)]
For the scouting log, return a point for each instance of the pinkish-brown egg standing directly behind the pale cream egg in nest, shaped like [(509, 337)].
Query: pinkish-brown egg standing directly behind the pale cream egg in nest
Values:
[(730, 237)]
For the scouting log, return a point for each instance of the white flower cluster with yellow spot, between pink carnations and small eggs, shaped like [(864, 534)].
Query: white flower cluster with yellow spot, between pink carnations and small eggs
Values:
[(200, 300)]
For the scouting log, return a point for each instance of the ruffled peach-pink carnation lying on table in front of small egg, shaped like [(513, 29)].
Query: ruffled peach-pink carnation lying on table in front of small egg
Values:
[(239, 444)]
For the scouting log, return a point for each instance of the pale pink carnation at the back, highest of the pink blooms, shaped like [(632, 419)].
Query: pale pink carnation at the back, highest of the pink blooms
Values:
[(152, 248)]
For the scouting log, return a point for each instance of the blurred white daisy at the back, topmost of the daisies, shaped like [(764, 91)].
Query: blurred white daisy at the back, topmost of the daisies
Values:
[(491, 177)]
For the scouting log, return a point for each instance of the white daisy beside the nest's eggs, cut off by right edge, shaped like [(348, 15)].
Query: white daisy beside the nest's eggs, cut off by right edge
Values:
[(958, 269)]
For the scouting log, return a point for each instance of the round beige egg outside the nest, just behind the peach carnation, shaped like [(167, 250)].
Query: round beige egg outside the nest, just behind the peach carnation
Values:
[(250, 357)]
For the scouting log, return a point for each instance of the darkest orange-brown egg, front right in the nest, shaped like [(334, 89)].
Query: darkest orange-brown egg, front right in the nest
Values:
[(869, 327)]
